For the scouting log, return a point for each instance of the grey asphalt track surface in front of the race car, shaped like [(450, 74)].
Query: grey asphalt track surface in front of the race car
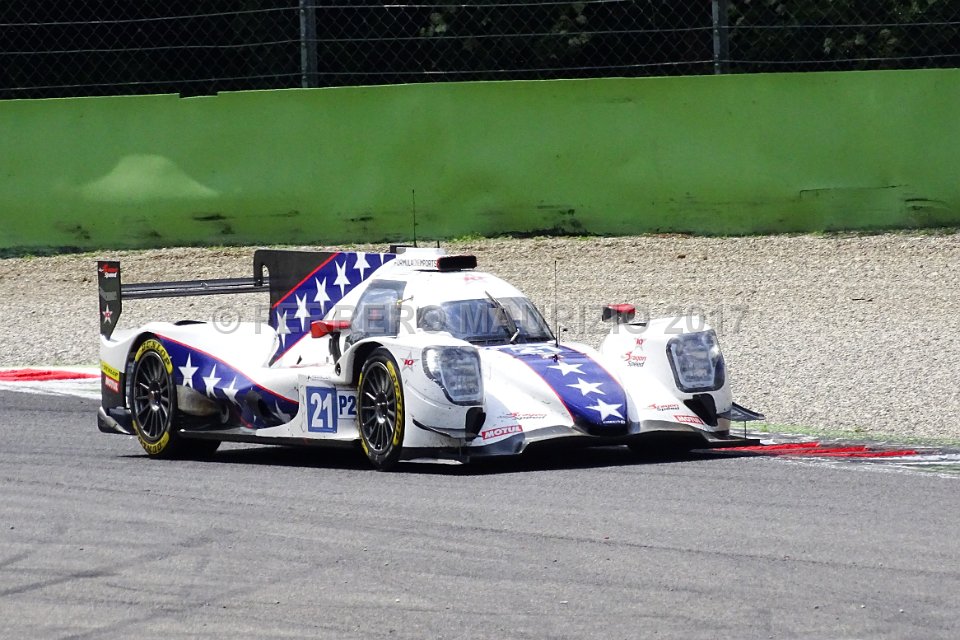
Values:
[(96, 541)]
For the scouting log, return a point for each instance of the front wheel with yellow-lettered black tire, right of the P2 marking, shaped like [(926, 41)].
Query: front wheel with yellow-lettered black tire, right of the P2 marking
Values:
[(380, 410)]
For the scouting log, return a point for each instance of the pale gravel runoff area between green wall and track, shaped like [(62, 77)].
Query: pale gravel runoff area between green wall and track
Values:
[(845, 332)]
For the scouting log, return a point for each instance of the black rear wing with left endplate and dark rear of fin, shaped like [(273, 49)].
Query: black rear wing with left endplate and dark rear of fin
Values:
[(285, 268)]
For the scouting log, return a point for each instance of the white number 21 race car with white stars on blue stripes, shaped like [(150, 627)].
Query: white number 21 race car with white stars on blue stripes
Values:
[(409, 354)]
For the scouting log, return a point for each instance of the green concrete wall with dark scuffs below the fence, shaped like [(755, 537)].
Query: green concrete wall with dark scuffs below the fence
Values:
[(709, 155)]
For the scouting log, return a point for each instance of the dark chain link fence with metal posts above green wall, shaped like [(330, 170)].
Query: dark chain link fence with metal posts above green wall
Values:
[(109, 47)]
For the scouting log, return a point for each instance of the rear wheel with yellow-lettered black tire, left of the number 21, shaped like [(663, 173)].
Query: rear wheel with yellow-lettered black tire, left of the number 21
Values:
[(153, 406)]
